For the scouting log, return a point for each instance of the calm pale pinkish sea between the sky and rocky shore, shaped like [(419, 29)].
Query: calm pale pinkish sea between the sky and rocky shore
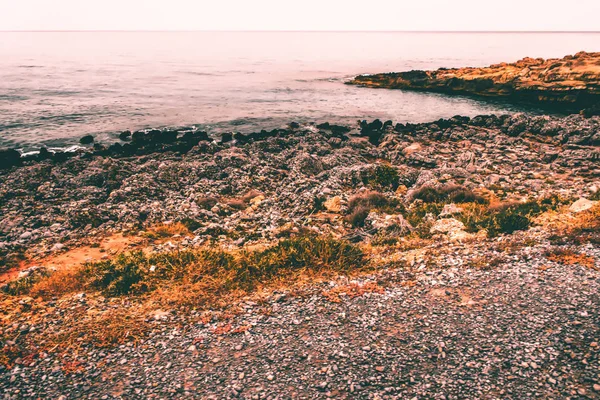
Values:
[(56, 87)]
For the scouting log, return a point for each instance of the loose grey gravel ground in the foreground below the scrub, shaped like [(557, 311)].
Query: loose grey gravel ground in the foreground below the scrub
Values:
[(525, 329)]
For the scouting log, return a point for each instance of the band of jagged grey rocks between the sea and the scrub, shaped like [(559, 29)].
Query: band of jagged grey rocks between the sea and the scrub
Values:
[(160, 175)]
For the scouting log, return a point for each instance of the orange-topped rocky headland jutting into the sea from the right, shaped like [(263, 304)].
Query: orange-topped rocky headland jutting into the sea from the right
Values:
[(572, 81)]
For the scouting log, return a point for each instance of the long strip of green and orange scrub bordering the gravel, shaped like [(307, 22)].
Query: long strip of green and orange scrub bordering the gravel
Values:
[(202, 277)]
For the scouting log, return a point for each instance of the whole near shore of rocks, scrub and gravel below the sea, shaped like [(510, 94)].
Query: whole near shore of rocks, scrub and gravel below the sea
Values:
[(480, 235)]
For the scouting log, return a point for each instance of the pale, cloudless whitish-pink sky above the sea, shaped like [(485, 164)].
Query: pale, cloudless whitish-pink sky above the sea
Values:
[(370, 15)]
